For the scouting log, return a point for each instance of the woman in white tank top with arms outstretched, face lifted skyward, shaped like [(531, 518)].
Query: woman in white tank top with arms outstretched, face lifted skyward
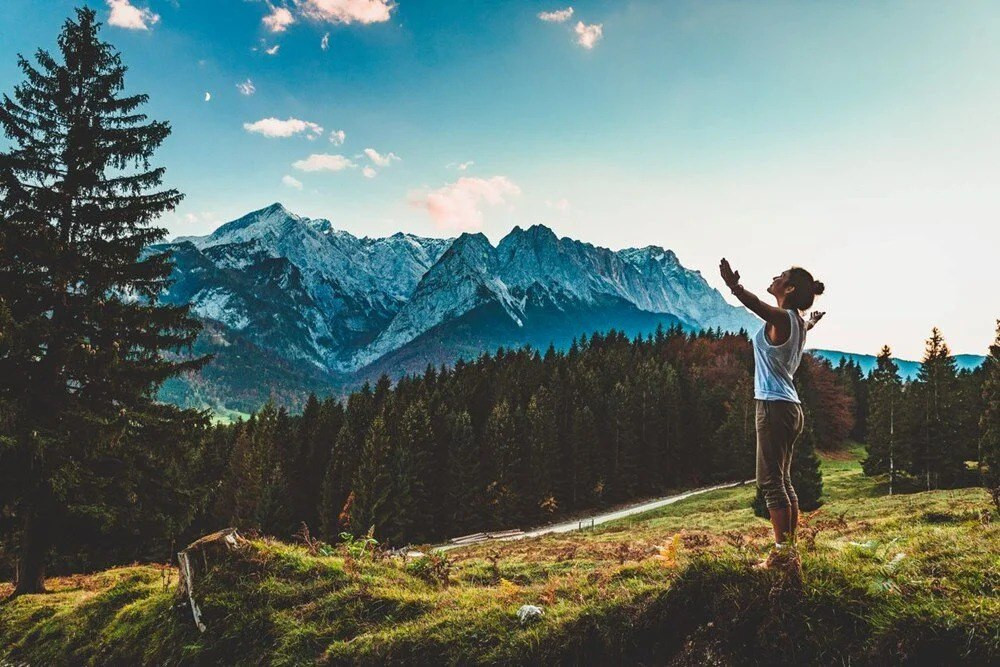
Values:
[(777, 349)]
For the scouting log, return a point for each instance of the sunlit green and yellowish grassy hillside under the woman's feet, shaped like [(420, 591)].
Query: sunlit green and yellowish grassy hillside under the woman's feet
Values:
[(670, 587)]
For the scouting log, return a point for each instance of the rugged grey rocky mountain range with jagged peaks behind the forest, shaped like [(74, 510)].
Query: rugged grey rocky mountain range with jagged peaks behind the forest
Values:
[(293, 305)]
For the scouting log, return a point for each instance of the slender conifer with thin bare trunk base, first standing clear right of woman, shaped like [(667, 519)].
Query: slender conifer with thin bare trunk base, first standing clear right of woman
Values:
[(885, 395)]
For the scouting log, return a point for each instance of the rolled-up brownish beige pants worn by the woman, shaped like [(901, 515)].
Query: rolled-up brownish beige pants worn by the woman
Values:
[(779, 424)]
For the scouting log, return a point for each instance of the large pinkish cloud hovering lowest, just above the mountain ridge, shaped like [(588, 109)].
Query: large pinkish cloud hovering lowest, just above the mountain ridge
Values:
[(458, 205)]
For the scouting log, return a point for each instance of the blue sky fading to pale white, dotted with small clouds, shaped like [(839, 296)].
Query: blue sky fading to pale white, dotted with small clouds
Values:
[(859, 140)]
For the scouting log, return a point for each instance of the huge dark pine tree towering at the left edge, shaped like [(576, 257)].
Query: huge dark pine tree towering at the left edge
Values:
[(77, 196)]
